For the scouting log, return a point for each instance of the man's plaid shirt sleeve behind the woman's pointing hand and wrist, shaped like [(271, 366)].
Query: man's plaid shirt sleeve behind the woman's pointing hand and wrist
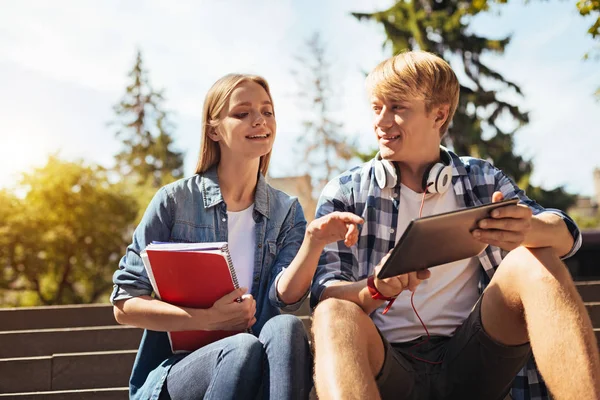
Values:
[(338, 262)]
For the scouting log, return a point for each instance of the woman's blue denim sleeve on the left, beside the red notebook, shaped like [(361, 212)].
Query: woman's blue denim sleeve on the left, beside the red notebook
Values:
[(130, 279)]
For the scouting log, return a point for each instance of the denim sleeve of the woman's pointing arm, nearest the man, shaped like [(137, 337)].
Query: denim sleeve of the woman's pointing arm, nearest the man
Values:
[(292, 236)]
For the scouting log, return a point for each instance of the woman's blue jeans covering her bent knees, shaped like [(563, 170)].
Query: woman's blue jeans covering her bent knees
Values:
[(278, 363)]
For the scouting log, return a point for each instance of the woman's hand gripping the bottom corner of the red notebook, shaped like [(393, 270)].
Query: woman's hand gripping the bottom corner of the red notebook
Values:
[(229, 315)]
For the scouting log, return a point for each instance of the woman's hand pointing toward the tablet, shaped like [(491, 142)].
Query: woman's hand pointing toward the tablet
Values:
[(334, 227)]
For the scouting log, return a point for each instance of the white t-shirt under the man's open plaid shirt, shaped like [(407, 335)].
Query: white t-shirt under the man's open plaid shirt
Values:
[(444, 300)]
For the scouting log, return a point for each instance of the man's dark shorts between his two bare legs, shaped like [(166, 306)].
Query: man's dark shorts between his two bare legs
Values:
[(473, 365)]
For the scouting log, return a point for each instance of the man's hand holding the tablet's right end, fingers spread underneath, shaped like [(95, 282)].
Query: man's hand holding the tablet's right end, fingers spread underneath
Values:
[(507, 227)]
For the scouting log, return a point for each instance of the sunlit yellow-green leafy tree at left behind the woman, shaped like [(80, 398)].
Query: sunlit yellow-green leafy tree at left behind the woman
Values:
[(62, 243)]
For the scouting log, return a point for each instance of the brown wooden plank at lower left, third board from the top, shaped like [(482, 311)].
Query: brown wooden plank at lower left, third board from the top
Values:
[(66, 371)]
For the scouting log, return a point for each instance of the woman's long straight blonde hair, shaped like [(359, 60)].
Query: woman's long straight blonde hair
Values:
[(216, 98)]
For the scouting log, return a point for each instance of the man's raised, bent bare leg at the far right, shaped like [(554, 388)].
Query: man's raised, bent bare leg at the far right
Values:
[(532, 297)]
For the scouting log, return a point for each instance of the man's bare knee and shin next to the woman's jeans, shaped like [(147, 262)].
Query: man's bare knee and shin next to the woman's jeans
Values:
[(349, 352)]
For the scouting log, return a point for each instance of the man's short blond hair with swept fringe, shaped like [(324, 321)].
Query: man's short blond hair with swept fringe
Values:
[(417, 74)]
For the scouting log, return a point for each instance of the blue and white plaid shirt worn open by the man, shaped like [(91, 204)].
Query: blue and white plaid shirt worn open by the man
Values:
[(356, 191)]
